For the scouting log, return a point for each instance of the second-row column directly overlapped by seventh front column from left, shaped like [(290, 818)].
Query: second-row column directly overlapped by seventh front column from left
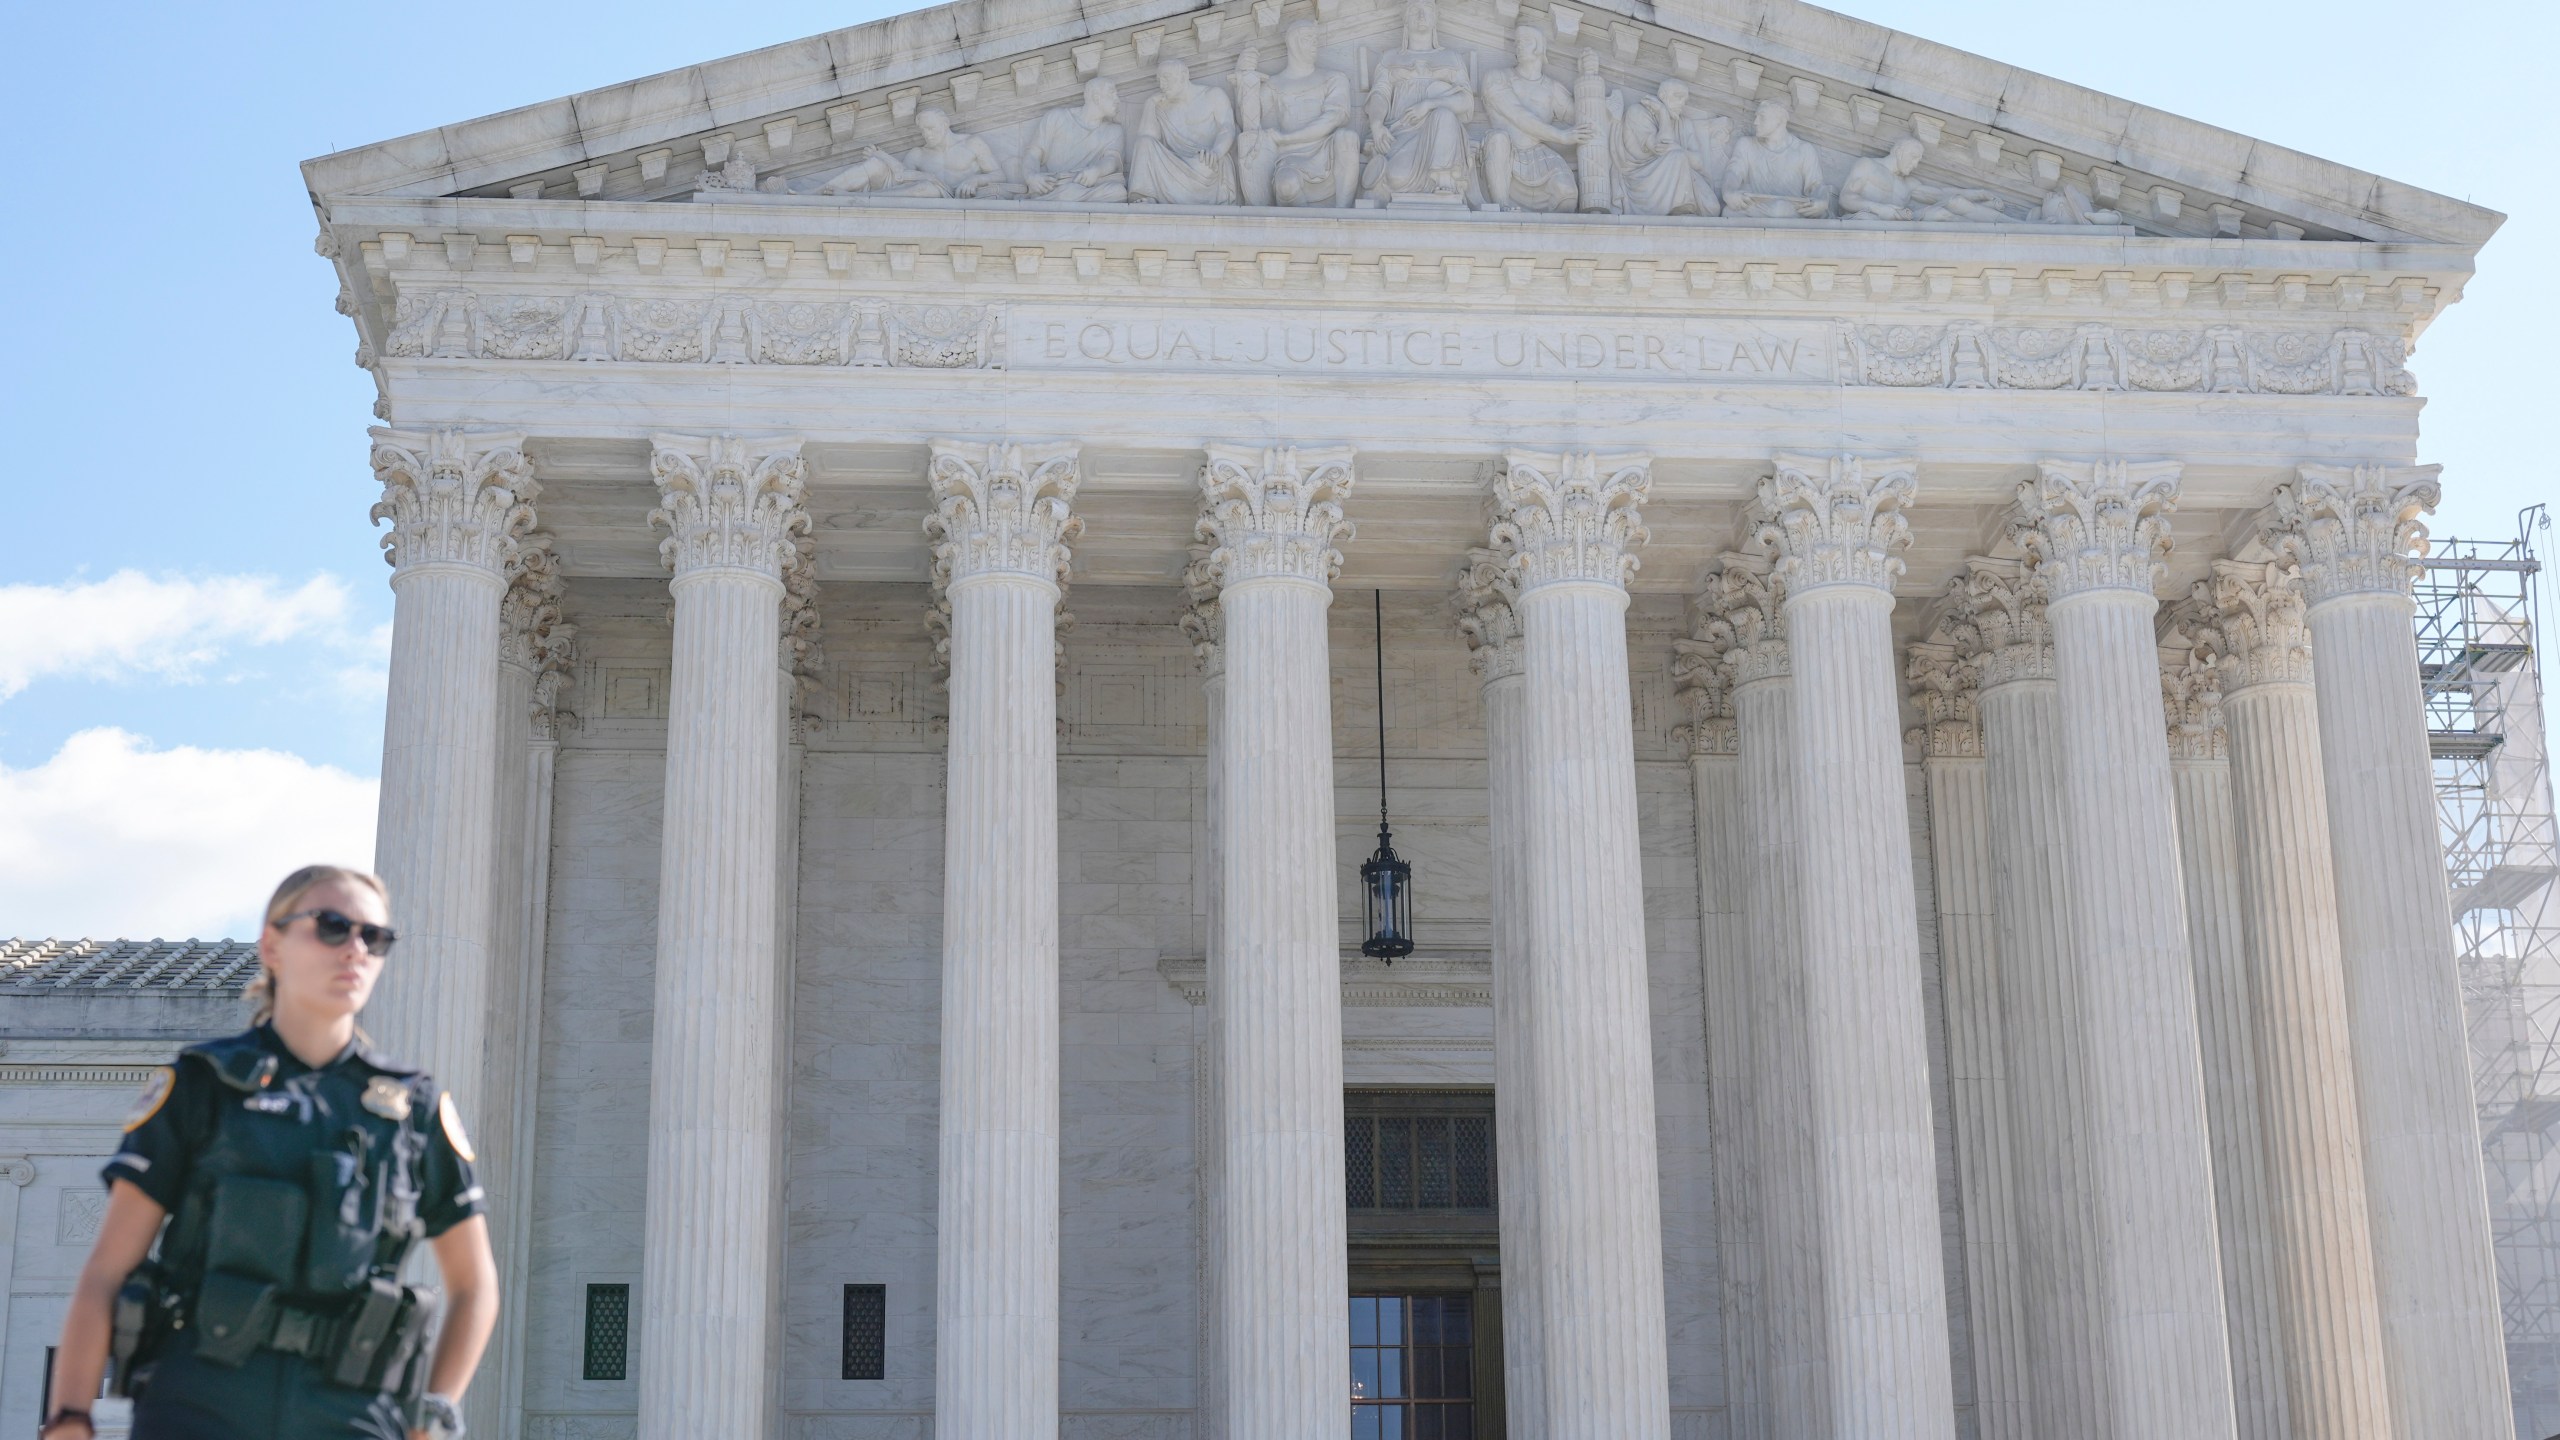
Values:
[(1996, 614)]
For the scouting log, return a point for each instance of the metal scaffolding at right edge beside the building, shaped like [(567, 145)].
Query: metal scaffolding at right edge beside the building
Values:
[(2477, 626)]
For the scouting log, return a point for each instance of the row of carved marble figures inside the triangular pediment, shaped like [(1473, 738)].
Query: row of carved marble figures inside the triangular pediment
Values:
[(1427, 124)]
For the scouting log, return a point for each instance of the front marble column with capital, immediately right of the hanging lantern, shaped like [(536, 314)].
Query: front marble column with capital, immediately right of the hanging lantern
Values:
[(1571, 524)]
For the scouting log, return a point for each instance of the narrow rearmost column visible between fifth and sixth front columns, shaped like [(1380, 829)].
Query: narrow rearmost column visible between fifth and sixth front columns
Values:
[(1727, 962)]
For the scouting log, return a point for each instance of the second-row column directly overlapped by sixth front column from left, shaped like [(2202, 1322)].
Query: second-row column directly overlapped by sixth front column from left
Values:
[(1745, 619)]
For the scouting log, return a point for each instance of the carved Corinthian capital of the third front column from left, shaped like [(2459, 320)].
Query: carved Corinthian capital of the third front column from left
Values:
[(1002, 509)]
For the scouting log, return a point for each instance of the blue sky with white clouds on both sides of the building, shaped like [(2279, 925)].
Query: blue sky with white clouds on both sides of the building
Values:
[(183, 409)]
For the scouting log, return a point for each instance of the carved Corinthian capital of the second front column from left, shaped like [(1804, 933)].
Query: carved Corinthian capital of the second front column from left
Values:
[(728, 503)]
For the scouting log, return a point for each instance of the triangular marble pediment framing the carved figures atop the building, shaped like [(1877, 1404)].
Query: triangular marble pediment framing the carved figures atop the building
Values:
[(1998, 147)]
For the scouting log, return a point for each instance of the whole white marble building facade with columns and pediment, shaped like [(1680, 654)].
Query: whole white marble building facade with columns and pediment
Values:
[(1898, 696)]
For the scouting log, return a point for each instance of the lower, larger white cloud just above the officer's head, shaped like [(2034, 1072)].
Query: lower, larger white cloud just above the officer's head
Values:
[(114, 839)]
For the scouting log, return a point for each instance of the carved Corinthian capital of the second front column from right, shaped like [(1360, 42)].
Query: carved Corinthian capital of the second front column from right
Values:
[(2098, 524)]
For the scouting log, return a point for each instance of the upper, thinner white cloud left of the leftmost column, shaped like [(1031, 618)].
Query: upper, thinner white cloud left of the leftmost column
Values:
[(170, 629)]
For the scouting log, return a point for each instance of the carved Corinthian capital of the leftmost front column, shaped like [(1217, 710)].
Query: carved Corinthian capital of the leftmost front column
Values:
[(454, 498)]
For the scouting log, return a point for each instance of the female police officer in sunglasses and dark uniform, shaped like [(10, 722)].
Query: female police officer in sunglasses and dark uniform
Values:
[(298, 1170)]
